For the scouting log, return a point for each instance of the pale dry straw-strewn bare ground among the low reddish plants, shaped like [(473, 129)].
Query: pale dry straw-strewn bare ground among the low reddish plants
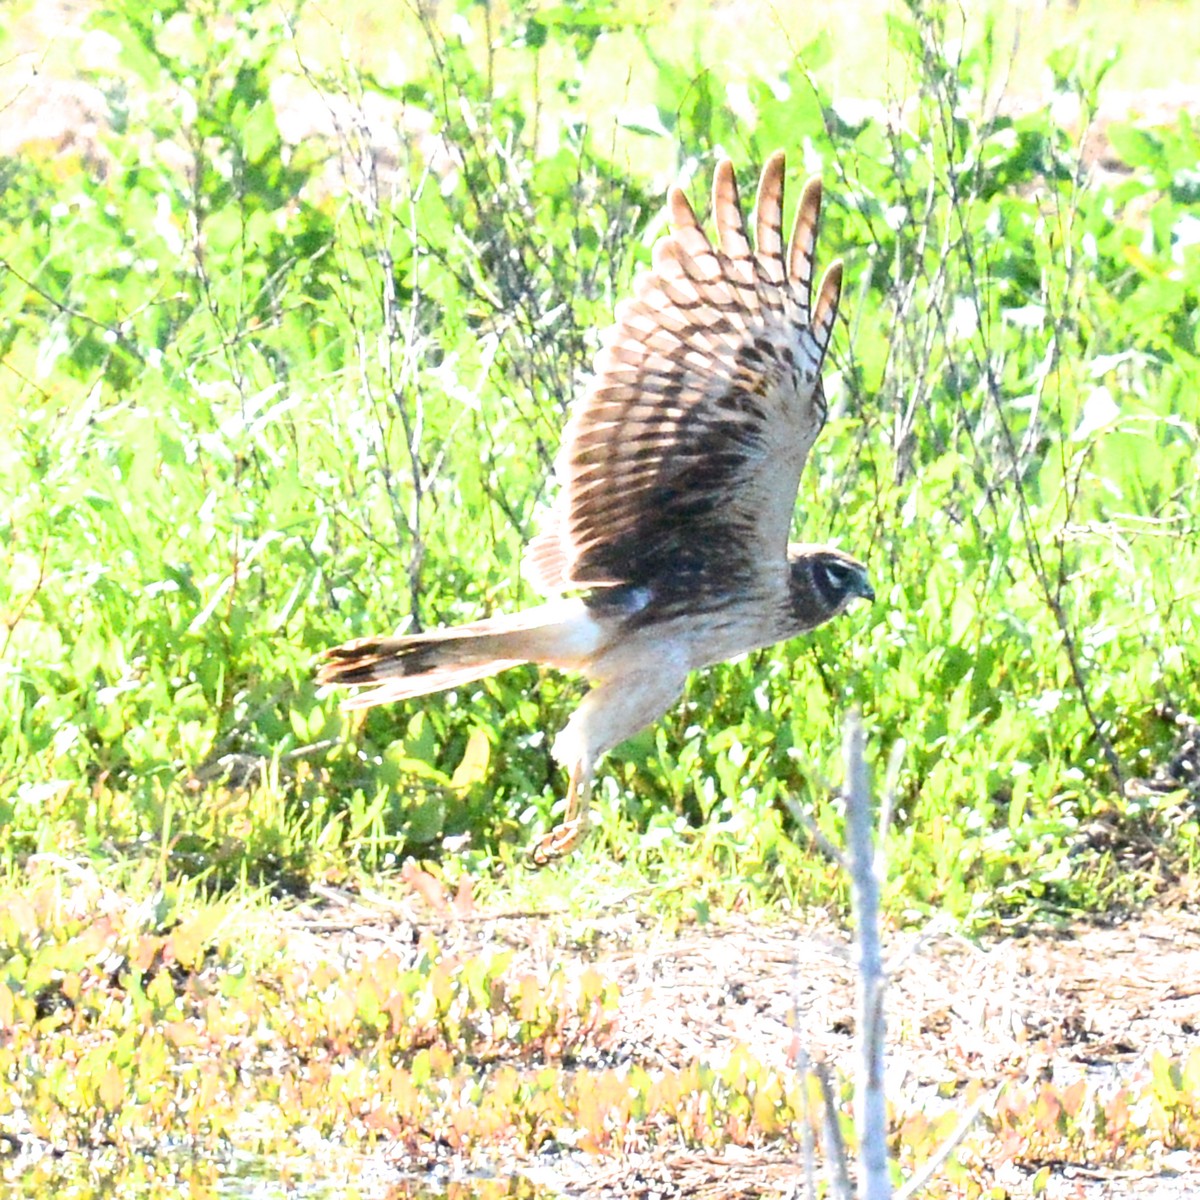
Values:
[(1089, 1000)]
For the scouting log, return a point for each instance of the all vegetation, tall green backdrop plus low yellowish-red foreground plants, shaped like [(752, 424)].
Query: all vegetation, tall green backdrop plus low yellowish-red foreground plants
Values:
[(286, 347)]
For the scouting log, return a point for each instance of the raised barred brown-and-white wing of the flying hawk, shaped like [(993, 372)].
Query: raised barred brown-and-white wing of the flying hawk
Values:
[(685, 455)]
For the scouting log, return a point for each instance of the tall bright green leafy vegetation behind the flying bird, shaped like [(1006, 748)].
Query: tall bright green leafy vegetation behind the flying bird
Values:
[(266, 395)]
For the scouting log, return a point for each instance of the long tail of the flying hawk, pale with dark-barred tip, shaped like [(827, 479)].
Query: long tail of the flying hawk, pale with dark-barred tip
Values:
[(403, 668)]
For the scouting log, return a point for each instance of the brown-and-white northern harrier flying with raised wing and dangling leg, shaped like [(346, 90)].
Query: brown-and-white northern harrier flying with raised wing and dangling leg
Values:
[(680, 470)]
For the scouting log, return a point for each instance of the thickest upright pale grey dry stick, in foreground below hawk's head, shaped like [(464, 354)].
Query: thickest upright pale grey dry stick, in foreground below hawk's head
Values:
[(871, 1105)]
